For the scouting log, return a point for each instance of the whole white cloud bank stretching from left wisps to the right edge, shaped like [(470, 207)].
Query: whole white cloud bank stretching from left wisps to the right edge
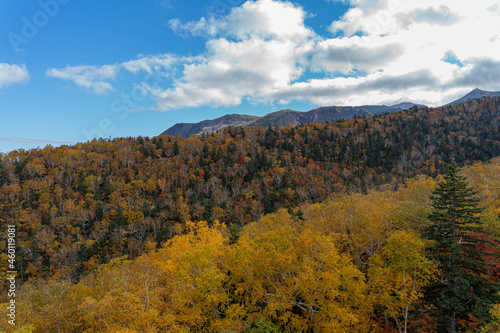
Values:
[(379, 51)]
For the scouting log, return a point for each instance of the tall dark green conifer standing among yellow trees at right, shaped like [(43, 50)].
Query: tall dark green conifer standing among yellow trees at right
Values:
[(462, 288)]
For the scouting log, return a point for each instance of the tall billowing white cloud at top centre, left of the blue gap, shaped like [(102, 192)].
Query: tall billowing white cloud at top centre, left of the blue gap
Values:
[(270, 40)]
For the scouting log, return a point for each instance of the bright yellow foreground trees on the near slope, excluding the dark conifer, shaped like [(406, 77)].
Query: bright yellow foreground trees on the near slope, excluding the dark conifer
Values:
[(354, 263)]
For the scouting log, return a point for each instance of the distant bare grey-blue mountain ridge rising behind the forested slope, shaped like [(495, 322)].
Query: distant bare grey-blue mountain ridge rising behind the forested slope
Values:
[(291, 117)]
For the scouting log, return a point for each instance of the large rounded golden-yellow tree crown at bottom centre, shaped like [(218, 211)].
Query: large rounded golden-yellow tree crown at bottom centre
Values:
[(297, 278)]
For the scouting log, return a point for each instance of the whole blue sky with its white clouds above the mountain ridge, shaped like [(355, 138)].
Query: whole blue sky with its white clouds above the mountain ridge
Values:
[(72, 70)]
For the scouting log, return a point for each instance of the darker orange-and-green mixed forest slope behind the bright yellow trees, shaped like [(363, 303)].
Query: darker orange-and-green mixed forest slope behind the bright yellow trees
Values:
[(79, 206)]
